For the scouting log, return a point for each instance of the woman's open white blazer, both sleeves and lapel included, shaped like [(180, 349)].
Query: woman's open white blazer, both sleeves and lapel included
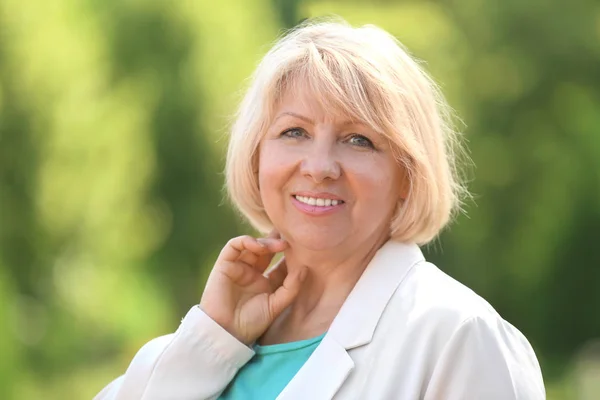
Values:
[(406, 331)]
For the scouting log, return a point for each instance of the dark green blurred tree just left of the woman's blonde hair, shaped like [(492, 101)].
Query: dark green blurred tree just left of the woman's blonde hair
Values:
[(149, 44)]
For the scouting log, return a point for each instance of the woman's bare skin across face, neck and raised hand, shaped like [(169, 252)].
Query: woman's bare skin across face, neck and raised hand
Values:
[(307, 150)]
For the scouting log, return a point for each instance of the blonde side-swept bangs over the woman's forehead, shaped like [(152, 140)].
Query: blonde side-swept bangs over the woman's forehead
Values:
[(339, 85)]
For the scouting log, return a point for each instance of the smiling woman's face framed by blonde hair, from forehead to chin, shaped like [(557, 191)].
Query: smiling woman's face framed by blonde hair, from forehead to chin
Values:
[(326, 182)]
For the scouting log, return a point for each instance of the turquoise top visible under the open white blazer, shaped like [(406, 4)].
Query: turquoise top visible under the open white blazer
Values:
[(270, 370)]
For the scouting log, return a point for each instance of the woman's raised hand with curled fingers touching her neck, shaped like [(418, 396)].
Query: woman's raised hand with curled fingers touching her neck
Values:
[(239, 297)]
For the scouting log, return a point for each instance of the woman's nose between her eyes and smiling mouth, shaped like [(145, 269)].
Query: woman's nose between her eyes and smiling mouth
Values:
[(320, 163)]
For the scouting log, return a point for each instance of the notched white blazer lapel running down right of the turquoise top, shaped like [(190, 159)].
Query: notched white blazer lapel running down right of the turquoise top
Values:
[(328, 367)]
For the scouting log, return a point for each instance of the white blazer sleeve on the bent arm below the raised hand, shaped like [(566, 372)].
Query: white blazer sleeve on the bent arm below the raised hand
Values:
[(196, 362)]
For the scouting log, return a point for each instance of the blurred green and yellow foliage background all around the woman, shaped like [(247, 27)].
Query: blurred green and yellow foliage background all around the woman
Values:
[(113, 122)]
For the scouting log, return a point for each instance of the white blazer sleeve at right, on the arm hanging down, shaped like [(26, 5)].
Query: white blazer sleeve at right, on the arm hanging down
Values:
[(486, 359)]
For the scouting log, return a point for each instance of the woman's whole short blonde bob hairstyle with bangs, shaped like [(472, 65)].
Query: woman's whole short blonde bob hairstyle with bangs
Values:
[(366, 74)]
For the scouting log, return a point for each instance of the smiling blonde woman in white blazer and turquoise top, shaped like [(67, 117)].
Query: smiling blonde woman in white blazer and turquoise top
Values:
[(342, 148)]
